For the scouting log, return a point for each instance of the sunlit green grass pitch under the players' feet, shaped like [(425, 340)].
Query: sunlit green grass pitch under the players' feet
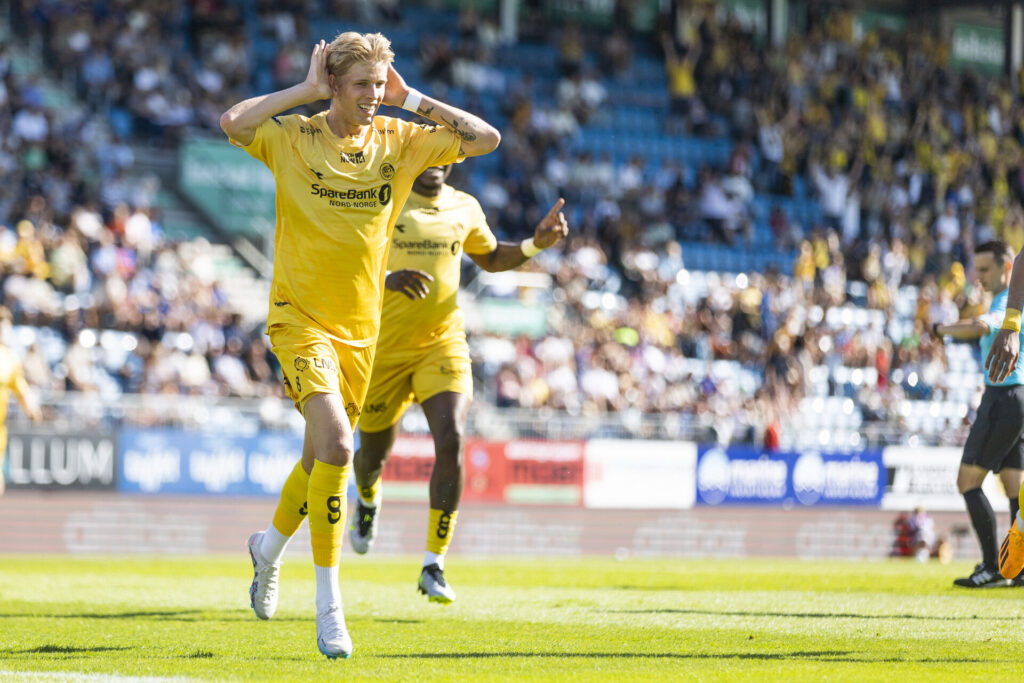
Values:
[(102, 619)]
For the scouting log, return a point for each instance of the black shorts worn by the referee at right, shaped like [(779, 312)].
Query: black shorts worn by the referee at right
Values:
[(996, 440)]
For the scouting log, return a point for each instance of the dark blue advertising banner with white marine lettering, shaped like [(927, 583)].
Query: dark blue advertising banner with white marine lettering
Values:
[(745, 476)]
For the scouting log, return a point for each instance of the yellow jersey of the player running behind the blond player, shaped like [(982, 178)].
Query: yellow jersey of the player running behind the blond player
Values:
[(431, 236)]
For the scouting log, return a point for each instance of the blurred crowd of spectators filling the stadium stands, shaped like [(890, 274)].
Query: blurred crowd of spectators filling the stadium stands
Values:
[(912, 164)]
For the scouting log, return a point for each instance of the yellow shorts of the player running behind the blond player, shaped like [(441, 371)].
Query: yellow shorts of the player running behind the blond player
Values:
[(400, 378)]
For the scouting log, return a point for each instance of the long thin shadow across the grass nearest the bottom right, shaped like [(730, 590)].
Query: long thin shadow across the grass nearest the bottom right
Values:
[(823, 656)]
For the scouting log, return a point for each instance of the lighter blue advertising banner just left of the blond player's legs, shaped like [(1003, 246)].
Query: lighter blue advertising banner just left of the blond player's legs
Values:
[(173, 461)]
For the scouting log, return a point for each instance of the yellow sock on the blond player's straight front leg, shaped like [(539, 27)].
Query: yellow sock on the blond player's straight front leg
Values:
[(327, 513)]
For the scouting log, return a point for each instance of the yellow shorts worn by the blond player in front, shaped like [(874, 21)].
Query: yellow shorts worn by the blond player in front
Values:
[(313, 363)]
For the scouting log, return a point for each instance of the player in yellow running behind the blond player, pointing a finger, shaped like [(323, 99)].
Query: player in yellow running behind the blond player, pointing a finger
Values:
[(422, 355)]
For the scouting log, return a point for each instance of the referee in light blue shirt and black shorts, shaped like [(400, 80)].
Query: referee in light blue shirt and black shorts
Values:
[(995, 444)]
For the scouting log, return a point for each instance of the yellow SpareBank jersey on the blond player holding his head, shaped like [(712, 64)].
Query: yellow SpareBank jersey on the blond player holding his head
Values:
[(337, 201)]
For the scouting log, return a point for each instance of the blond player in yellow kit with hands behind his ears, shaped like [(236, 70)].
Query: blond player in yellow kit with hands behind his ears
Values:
[(342, 180)]
